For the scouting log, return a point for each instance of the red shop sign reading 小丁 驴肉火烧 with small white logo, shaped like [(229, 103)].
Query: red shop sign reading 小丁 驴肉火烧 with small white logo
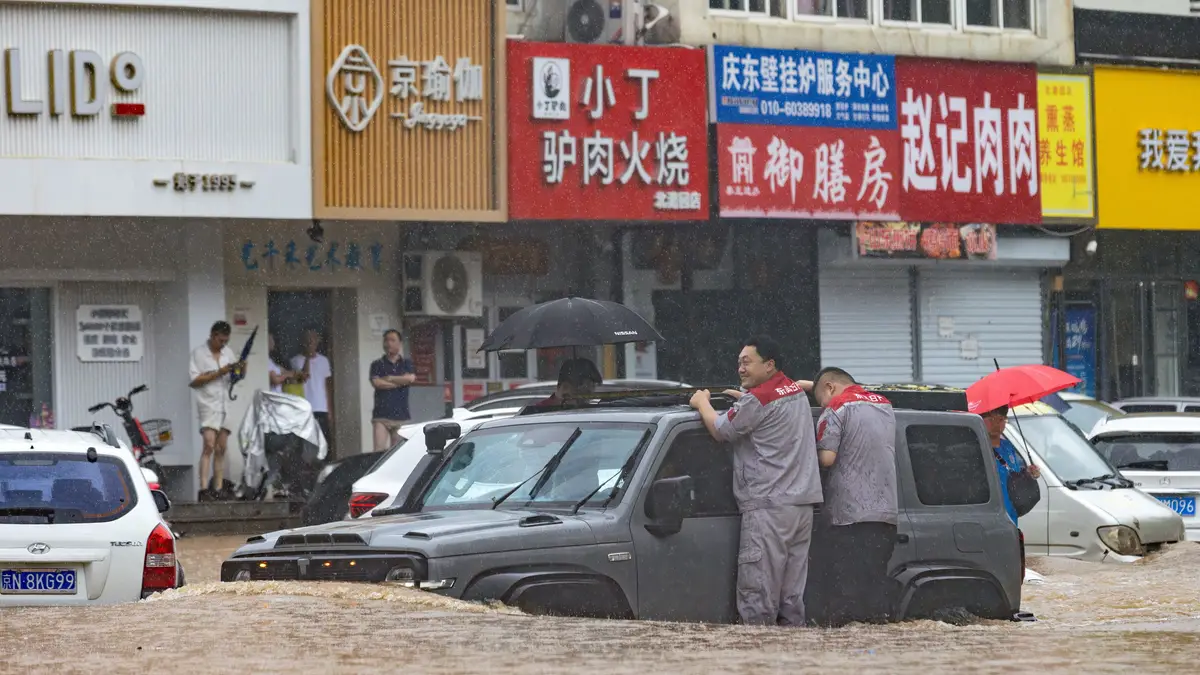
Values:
[(607, 133)]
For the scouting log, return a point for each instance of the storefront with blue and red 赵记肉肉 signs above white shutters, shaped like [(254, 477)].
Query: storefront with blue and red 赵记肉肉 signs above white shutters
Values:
[(921, 187)]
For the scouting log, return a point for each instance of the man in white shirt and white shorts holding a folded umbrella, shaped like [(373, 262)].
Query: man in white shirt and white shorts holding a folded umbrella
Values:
[(211, 368)]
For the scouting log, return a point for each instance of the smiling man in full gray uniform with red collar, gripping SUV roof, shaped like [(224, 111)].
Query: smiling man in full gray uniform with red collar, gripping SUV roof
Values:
[(776, 481)]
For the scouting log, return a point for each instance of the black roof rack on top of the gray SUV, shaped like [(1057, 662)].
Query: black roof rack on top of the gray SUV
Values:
[(903, 396)]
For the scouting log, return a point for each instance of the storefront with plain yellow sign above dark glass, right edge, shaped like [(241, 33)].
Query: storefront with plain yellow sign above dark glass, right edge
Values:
[(1133, 315)]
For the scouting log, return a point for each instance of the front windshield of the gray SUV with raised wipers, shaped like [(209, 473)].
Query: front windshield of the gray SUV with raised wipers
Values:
[(488, 464)]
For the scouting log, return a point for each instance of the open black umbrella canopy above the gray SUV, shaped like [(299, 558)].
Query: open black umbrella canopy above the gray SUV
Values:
[(571, 322)]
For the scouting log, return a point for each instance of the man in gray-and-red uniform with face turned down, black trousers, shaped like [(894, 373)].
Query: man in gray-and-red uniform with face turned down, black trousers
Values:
[(856, 439)]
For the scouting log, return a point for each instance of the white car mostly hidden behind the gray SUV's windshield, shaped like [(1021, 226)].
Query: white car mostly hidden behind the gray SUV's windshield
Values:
[(383, 483)]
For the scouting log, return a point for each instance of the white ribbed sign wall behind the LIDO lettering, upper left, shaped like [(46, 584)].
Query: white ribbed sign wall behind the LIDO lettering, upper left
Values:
[(225, 93)]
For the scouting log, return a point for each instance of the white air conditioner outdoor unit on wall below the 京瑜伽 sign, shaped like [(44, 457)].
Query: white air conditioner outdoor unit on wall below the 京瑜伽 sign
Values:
[(443, 284)]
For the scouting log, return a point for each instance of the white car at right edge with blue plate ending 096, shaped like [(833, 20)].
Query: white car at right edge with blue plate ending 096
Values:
[(1161, 455)]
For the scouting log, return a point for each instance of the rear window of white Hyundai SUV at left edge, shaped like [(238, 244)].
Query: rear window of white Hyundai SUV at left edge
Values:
[(40, 488)]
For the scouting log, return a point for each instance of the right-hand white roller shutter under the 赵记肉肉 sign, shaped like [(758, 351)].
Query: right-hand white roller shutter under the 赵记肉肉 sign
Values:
[(1000, 309)]
